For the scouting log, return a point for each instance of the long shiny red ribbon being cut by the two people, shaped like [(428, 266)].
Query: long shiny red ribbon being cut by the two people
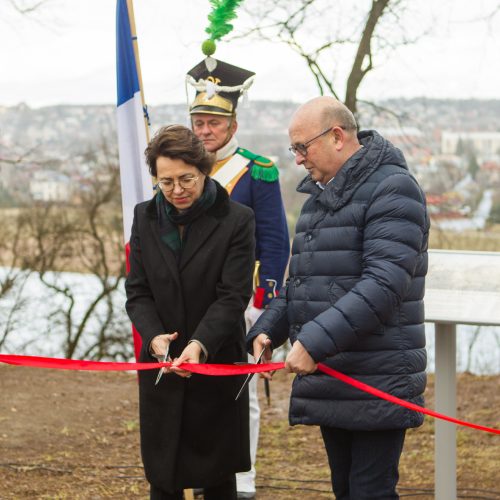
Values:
[(224, 370)]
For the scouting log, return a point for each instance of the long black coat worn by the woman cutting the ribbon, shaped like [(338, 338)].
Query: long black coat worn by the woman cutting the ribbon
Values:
[(193, 433)]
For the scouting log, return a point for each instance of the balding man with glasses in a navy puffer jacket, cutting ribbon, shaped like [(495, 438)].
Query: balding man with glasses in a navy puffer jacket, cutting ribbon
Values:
[(354, 297)]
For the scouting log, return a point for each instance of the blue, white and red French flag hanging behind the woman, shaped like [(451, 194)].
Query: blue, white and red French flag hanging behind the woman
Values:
[(136, 183)]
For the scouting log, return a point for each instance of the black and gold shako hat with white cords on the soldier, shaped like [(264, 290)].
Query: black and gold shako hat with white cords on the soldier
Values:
[(218, 86)]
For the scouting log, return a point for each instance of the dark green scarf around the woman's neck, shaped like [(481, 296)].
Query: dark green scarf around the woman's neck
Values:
[(169, 219)]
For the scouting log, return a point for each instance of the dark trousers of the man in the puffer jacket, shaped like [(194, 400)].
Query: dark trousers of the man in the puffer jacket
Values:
[(364, 464)]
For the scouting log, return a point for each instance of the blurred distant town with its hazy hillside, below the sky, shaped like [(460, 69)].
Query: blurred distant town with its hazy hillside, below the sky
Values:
[(62, 153)]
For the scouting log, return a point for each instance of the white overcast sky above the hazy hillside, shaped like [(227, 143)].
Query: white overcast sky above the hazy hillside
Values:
[(65, 53)]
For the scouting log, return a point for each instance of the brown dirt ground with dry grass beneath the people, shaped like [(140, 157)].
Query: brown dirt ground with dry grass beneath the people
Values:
[(74, 435)]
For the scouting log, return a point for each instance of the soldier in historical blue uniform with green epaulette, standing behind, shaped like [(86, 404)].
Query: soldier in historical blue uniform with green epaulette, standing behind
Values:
[(252, 180)]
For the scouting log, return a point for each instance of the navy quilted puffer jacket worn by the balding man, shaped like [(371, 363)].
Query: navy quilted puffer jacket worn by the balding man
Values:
[(354, 297)]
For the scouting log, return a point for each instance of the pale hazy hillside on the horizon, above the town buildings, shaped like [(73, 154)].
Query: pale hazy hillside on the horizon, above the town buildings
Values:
[(74, 129)]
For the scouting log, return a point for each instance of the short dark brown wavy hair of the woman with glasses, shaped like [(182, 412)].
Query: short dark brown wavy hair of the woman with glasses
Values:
[(178, 142)]
